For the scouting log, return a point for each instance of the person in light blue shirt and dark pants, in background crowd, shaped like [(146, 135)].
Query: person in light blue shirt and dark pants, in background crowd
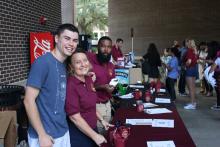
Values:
[(173, 72)]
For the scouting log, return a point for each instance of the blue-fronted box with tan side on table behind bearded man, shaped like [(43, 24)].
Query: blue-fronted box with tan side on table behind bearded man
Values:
[(129, 76)]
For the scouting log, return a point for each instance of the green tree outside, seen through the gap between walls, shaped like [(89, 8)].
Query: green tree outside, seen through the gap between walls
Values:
[(92, 14)]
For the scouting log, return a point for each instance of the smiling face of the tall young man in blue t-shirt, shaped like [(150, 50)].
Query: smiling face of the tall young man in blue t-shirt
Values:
[(66, 42)]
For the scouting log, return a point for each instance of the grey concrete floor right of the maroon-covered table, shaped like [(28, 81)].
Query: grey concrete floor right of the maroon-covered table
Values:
[(203, 123)]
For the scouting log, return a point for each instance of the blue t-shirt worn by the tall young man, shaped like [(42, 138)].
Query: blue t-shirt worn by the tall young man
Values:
[(49, 76)]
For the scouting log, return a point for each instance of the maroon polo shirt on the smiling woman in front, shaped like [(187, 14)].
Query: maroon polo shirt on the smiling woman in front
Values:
[(81, 98)]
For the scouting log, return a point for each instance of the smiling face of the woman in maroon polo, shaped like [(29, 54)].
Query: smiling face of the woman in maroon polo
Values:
[(80, 64)]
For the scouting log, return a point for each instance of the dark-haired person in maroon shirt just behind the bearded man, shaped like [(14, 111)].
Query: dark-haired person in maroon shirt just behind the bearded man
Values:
[(116, 50)]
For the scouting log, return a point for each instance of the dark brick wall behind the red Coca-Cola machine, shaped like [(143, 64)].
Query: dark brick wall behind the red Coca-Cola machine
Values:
[(17, 19)]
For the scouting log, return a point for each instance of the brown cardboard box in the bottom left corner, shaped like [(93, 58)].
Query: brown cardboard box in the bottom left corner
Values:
[(8, 128)]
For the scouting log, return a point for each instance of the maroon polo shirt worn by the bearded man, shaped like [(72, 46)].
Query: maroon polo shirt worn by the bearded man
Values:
[(104, 73)]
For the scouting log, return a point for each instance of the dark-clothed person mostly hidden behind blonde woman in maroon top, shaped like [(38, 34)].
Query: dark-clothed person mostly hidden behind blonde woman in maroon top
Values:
[(182, 78)]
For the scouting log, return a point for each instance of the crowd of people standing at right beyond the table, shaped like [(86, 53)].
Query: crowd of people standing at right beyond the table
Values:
[(185, 64)]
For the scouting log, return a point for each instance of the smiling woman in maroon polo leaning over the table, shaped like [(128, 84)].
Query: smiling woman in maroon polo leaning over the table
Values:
[(81, 104)]
